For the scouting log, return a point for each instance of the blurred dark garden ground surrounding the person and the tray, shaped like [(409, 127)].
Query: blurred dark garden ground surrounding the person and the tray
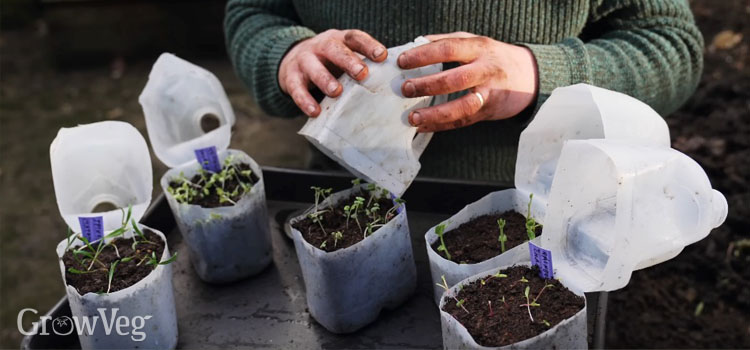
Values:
[(69, 62)]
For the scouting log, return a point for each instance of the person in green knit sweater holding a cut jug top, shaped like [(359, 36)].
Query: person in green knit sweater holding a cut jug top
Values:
[(509, 54)]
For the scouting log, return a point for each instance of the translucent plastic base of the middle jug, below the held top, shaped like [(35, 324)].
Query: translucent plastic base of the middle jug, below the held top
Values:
[(346, 289)]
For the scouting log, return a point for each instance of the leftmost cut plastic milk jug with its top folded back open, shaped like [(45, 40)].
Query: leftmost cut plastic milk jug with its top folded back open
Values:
[(109, 162)]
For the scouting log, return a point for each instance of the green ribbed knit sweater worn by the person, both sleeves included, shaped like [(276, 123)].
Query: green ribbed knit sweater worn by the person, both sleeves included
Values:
[(649, 49)]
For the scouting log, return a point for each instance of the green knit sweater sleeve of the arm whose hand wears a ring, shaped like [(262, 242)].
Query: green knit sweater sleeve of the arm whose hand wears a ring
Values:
[(649, 49)]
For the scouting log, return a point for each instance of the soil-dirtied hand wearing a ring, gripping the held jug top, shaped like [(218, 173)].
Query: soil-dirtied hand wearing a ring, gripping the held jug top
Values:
[(504, 75)]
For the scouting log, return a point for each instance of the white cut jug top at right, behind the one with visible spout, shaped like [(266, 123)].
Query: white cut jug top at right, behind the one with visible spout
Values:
[(580, 111)]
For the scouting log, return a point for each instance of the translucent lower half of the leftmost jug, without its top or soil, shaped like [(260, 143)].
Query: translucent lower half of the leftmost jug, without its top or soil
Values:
[(151, 296)]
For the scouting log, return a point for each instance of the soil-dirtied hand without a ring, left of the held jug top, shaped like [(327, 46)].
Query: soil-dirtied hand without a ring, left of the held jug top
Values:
[(314, 61)]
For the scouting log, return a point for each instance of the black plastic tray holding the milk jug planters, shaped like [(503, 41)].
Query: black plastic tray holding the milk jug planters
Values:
[(269, 310)]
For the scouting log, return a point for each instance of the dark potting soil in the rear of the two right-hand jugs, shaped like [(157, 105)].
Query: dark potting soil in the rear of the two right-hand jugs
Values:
[(477, 240)]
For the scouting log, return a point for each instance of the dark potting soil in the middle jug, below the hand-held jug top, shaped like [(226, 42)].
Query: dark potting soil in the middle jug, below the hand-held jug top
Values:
[(336, 221)]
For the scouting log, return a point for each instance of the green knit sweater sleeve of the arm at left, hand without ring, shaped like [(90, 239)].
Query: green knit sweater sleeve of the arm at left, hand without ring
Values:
[(258, 34)]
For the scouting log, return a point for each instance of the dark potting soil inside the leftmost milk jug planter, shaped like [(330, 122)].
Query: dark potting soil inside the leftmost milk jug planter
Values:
[(126, 273)]
